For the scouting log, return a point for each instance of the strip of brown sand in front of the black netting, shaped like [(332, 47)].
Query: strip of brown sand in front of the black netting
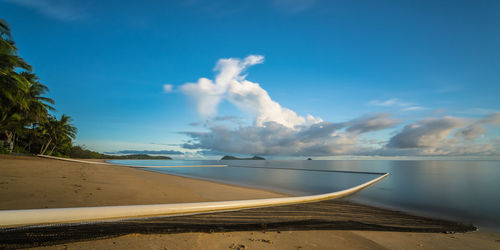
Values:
[(333, 239)]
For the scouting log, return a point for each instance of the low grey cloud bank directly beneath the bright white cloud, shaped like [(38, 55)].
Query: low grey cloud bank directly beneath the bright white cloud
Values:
[(272, 138)]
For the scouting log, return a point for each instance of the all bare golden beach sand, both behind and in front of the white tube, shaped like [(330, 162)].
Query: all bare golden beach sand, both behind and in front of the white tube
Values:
[(31, 182)]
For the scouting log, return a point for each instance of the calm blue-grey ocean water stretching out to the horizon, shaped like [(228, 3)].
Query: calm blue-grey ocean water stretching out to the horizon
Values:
[(466, 191)]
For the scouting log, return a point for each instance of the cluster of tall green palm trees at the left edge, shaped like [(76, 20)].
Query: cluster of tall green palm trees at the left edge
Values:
[(26, 122)]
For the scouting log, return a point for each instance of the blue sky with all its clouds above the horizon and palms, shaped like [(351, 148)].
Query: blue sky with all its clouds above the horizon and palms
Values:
[(279, 78)]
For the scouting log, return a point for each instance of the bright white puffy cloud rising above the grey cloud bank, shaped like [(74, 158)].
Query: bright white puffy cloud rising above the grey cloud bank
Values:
[(231, 84)]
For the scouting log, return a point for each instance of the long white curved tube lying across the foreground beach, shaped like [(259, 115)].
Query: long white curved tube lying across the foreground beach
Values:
[(12, 218)]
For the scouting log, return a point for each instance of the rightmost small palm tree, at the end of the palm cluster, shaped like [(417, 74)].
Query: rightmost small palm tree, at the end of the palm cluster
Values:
[(57, 133)]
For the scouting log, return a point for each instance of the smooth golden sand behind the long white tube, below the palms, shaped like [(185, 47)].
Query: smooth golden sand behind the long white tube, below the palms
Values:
[(32, 182)]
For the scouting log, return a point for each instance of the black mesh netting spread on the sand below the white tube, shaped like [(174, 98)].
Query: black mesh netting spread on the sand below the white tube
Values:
[(325, 215)]
